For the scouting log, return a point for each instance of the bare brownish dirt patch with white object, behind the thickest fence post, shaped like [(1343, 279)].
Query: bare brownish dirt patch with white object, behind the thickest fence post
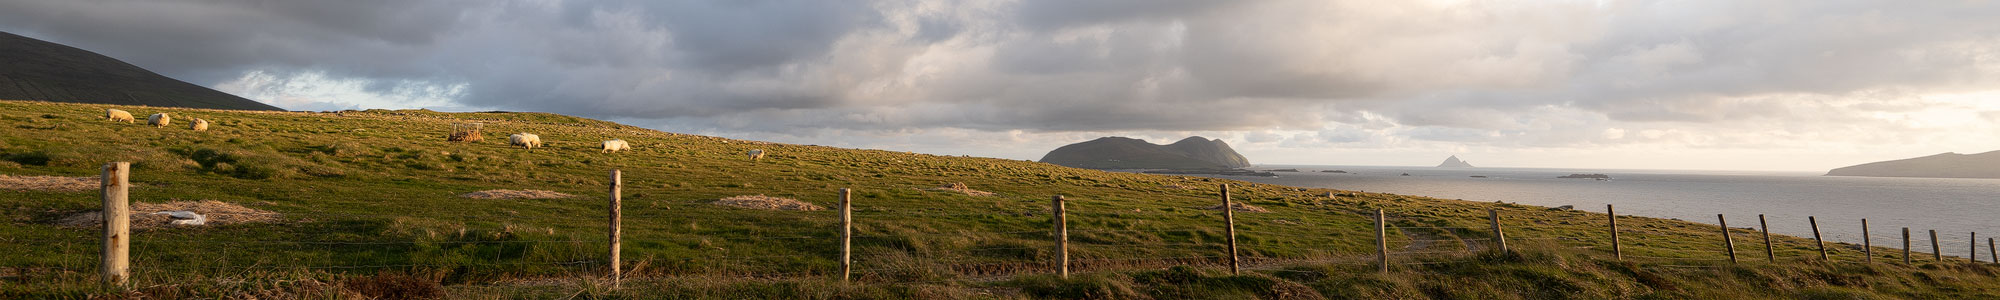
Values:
[(143, 219)]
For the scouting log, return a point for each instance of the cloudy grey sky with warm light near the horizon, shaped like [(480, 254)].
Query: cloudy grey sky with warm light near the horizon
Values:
[(1663, 85)]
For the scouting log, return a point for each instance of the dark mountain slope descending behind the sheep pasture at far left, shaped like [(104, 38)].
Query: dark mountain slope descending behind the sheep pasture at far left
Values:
[(55, 73)]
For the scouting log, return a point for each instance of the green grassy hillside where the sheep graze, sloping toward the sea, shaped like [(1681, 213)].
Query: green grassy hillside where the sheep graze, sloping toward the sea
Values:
[(371, 207)]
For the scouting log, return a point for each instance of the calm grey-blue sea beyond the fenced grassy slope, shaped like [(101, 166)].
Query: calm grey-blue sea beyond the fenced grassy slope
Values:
[(1955, 207)]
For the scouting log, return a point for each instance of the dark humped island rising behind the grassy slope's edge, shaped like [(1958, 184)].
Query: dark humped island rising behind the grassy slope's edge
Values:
[(1133, 153)]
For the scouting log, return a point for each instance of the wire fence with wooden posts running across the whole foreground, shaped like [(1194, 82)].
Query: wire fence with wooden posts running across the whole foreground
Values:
[(981, 255)]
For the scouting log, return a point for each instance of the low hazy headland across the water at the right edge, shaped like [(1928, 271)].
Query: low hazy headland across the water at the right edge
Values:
[(1929, 167)]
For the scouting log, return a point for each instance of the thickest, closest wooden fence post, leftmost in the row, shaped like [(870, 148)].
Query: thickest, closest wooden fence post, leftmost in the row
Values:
[(117, 223)]
